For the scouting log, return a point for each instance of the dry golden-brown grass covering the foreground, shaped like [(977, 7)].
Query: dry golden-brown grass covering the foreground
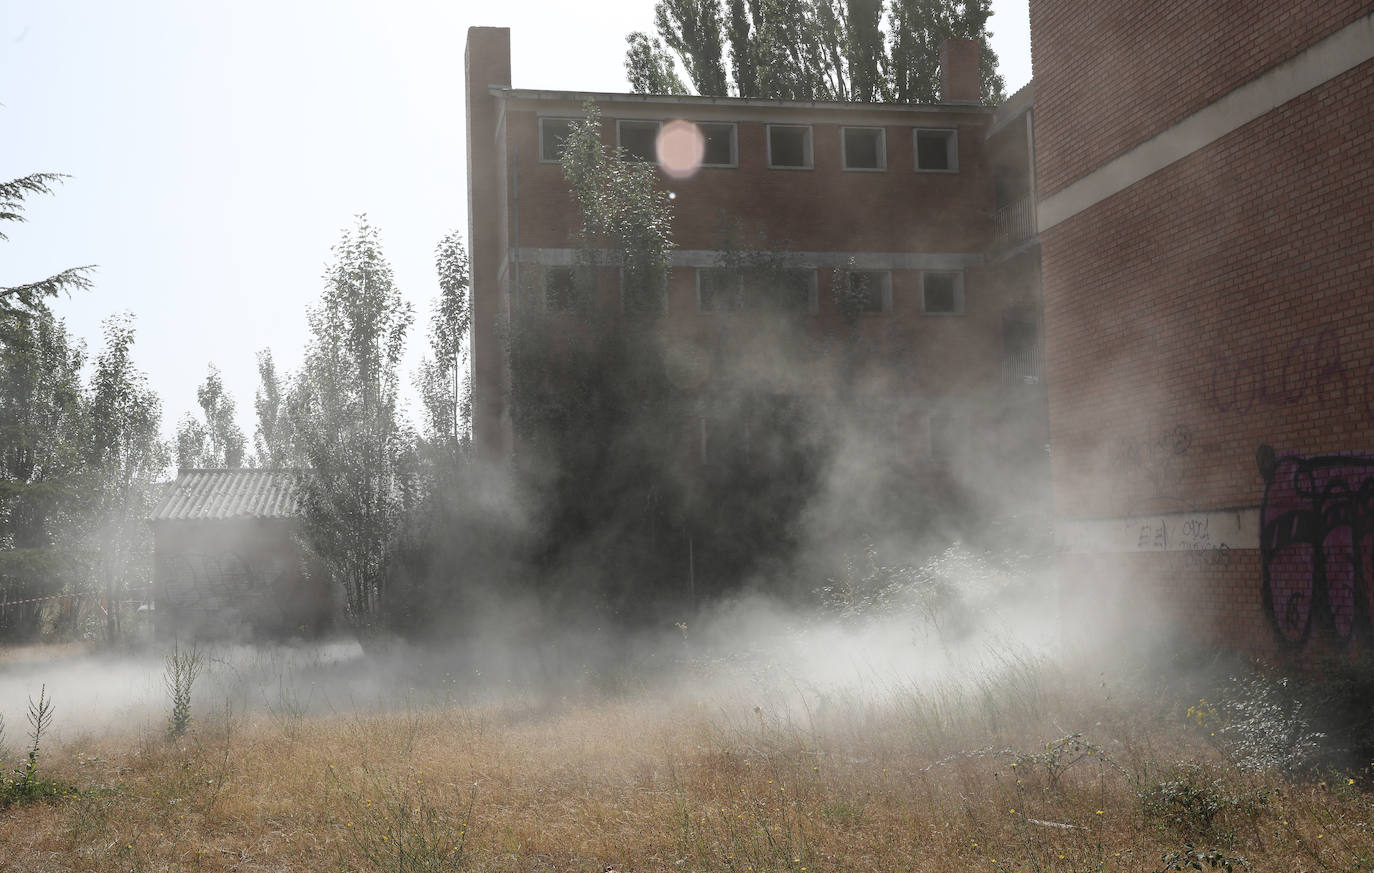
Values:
[(956, 777)]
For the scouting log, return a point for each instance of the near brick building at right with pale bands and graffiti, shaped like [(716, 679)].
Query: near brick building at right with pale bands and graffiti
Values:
[(1206, 182)]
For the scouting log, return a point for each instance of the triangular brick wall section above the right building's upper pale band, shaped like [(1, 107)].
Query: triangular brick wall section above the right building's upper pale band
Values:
[(1112, 74)]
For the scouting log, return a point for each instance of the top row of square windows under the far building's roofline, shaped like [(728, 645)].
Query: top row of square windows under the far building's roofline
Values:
[(789, 145)]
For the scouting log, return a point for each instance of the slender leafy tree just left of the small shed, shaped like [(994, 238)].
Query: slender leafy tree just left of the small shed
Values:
[(123, 460)]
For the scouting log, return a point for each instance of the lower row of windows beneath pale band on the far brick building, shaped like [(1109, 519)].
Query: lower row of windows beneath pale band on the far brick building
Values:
[(722, 289)]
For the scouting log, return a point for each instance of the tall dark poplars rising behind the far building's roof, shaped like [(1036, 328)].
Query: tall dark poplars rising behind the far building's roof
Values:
[(813, 50)]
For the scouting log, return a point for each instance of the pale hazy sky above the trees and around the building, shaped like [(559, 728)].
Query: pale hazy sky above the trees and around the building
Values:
[(219, 149)]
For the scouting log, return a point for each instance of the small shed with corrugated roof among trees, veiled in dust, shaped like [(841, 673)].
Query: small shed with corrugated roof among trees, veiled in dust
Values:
[(227, 559)]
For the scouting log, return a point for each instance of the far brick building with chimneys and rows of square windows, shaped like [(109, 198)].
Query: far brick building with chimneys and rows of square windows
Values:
[(925, 207)]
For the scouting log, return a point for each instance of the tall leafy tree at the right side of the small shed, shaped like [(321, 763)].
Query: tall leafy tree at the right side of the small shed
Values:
[(361, 475)]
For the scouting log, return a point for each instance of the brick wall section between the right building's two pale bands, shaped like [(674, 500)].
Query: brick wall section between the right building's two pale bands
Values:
[(1229, 295)]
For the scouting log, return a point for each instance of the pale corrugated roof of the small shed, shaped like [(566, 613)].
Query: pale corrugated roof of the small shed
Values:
[(229, 494)]
